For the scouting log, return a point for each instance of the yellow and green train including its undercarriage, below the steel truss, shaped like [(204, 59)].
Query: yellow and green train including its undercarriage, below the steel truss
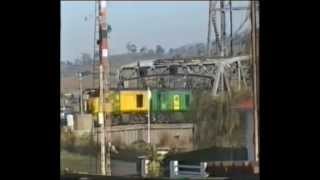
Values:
[(132, 106)]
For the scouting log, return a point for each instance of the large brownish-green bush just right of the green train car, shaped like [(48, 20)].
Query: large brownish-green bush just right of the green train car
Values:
[(216, 122)]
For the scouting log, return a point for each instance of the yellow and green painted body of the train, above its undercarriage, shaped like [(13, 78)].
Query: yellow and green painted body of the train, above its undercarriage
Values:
[(138, 102)]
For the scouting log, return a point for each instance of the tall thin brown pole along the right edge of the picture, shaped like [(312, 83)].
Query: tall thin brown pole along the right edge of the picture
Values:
[(255, 65)]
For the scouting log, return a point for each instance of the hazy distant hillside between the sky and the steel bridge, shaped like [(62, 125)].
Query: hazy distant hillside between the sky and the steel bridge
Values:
[(68, 71)]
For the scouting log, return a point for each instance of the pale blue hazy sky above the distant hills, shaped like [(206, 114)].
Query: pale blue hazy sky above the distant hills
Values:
[(145, 23)]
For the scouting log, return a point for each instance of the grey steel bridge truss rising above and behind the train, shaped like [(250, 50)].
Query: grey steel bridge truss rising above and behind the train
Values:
[(219, 75)]
